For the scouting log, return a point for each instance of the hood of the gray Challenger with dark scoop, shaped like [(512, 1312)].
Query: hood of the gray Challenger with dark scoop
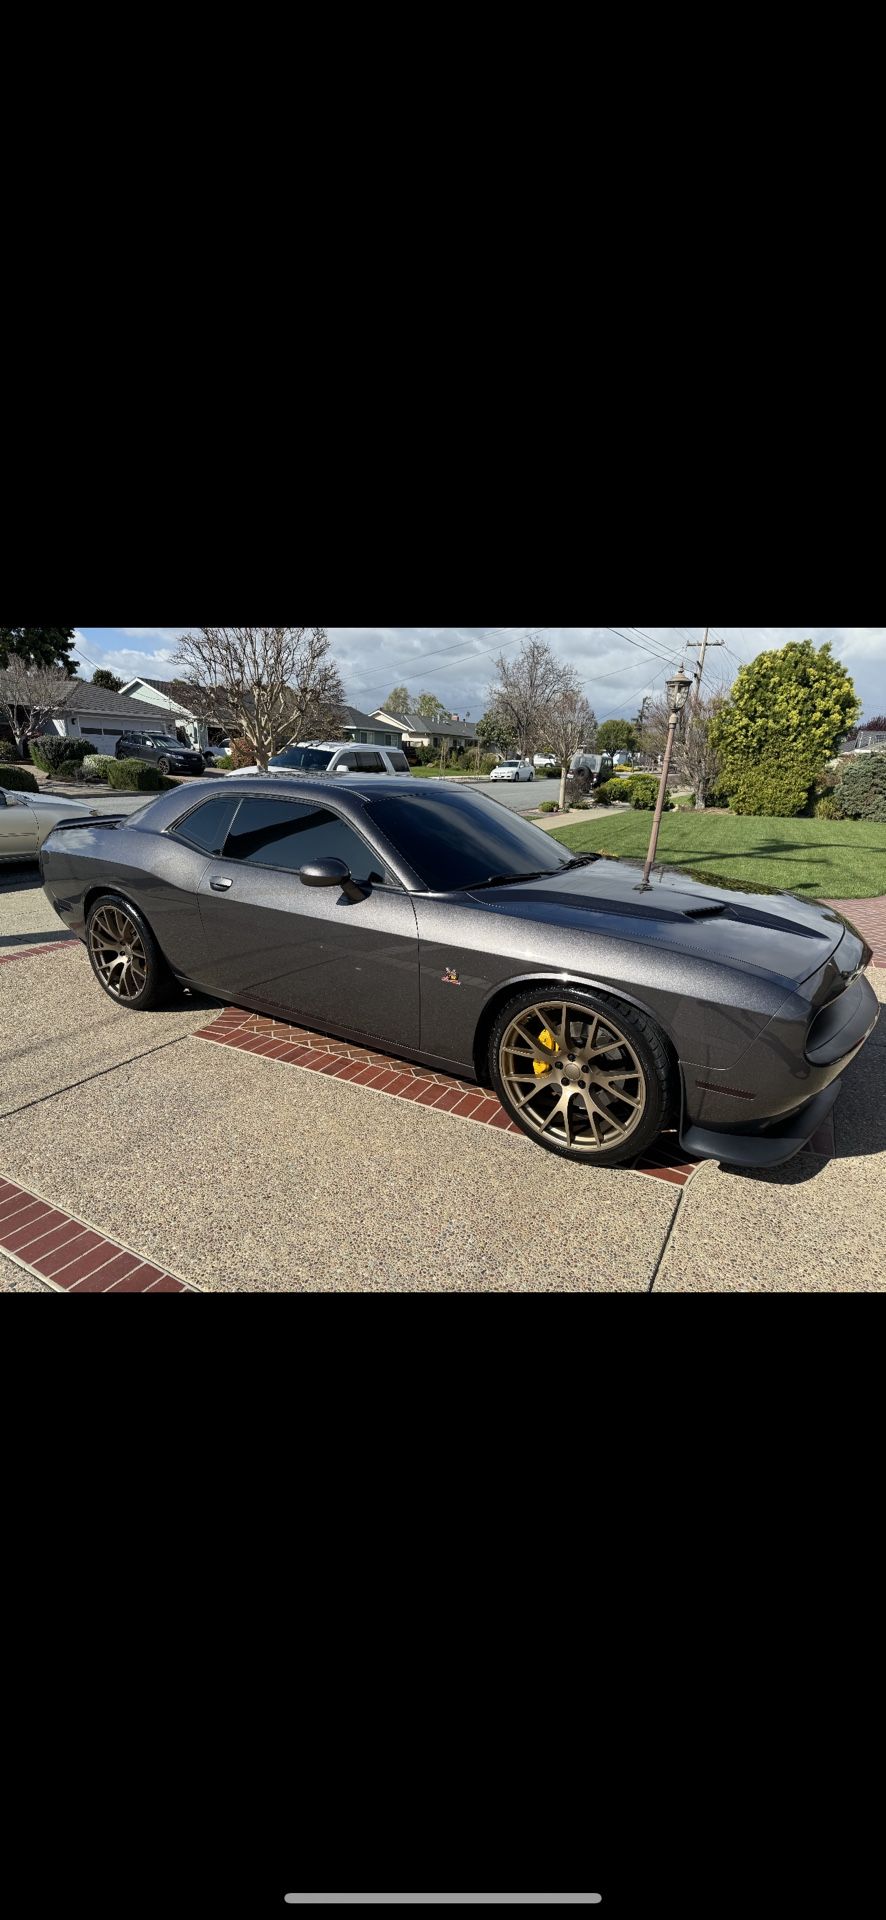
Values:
[(770, 934)]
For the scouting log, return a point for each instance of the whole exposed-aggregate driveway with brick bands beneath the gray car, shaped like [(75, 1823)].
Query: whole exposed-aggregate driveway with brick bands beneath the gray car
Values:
[(226, 1168)]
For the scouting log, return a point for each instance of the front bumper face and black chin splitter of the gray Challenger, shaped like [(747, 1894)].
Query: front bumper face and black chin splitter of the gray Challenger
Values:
[(835, 1038)]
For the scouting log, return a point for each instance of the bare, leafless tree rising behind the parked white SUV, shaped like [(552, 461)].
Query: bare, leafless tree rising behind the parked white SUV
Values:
[(278, 683)]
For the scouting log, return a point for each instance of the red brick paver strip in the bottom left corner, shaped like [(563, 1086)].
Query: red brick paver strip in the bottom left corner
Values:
[(70, 1257)]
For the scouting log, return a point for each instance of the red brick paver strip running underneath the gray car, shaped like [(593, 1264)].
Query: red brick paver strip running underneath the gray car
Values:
[(320, 1053)]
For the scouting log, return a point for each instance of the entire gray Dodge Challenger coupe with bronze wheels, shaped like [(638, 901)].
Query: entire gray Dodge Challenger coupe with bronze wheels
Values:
[(437, 924)]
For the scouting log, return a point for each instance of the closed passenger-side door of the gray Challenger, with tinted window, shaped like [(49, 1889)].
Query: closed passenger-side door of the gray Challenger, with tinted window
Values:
[(310, 951)]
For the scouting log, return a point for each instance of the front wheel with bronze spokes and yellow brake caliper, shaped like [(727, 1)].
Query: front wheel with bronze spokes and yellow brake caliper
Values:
[(603, 1126)]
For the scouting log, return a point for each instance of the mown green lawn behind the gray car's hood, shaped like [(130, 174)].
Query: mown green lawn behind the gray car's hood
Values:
[(816, 859)]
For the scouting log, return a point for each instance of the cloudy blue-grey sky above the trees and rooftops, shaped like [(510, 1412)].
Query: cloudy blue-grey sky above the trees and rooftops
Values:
[(616, 665)]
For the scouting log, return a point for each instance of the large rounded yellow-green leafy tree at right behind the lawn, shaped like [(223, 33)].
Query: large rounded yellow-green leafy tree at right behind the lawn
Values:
[(787, 715)]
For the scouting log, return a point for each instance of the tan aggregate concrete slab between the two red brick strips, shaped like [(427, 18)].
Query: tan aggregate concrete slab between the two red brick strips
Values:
[(249, 1176)]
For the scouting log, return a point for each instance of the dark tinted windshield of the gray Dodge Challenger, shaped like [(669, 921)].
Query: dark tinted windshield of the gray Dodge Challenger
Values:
[(464, 840)]
